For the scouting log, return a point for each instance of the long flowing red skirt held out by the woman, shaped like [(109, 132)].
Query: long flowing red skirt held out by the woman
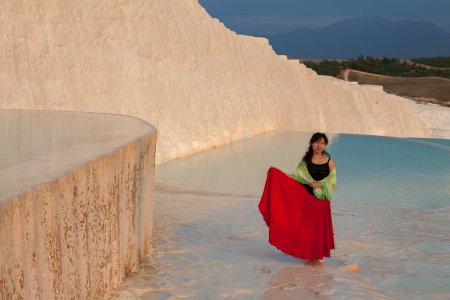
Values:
[(299, 223)]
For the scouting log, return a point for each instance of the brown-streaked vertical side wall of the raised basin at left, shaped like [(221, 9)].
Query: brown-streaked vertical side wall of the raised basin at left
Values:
[(77, 236)]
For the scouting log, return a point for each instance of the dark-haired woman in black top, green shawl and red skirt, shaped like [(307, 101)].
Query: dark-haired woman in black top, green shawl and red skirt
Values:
[(297, 209)]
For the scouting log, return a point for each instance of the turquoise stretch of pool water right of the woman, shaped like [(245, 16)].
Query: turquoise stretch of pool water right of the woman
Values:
[(393, 170)]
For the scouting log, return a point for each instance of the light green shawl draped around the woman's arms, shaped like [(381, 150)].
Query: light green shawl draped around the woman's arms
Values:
[(328, 183)]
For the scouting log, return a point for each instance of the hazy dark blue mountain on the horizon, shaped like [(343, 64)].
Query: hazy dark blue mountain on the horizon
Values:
[(369, 36)]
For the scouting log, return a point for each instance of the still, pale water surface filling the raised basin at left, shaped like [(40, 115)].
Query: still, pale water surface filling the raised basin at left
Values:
[(38, 146)]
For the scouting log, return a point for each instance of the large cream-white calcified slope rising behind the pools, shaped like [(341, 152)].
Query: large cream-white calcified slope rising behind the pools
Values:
[(169, 63)]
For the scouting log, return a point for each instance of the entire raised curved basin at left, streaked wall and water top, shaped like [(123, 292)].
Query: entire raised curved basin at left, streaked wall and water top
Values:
[(76, 215)]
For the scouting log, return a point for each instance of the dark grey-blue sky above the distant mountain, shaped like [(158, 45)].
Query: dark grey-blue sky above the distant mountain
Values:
[(265, 17)]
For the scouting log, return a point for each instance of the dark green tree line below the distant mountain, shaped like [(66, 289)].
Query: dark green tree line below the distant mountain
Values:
[(384, 66)]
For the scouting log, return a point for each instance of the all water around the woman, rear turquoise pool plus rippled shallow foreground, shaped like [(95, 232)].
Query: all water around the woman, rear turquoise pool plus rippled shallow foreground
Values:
[(391, 214)]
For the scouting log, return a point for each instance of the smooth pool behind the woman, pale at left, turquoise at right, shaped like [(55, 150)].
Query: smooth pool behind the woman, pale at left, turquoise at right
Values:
[(370, 169)]
